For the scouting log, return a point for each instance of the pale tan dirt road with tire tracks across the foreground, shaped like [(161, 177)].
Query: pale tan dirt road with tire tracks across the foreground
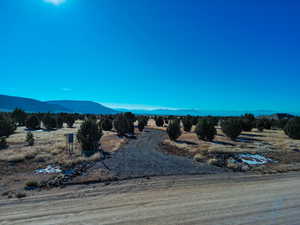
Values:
[(216, 199)]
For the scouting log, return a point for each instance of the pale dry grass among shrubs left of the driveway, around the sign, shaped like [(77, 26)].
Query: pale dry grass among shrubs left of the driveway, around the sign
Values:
[(50, 147)]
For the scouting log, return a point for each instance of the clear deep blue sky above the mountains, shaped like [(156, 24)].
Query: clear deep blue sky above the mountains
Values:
[(210, 55)]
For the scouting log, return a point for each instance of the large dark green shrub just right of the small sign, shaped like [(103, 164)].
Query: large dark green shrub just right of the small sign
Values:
[(88, 136)]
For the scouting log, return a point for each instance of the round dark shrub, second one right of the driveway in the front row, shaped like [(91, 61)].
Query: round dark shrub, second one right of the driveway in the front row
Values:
[(205, 130)]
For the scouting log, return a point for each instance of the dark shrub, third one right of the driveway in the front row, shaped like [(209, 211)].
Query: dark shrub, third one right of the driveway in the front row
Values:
[(232, 128)]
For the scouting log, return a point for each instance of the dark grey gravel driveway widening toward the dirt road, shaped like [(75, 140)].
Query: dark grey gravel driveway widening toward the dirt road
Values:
[(141, 157)]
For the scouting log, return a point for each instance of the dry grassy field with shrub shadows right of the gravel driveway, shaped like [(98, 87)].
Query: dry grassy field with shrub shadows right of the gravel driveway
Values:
[(273, 144)]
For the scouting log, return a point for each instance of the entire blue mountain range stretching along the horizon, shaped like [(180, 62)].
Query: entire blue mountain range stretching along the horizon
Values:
[(9, 103)]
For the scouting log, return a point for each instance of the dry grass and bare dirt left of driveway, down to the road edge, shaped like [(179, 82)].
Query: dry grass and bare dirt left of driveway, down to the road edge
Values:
[(18, 161)]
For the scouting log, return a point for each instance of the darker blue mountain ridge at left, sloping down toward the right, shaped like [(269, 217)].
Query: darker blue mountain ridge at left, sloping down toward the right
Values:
[(9, 103)]
